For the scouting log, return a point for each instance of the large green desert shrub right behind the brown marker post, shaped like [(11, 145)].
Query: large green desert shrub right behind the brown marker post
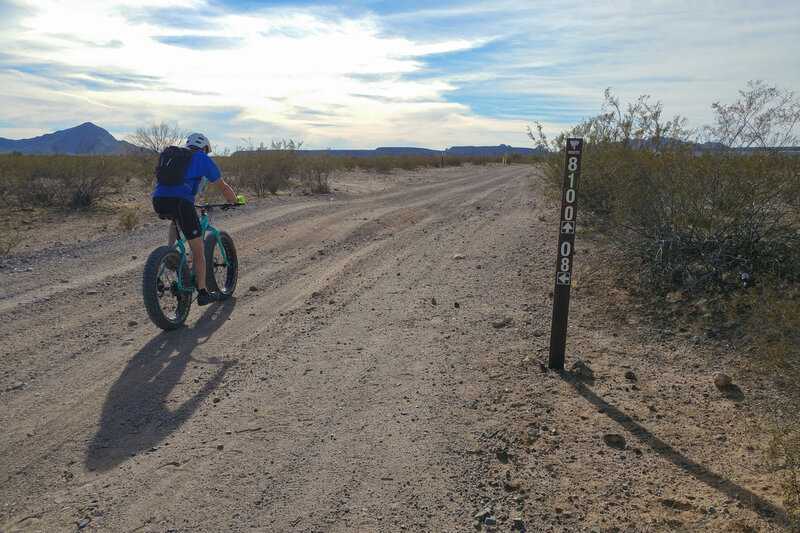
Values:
[(690, 215)]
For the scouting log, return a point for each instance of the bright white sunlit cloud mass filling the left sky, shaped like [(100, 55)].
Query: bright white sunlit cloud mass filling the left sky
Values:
[(279, 62)]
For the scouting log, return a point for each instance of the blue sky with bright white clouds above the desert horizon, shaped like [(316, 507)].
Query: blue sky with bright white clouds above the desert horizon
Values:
[(364, 74)]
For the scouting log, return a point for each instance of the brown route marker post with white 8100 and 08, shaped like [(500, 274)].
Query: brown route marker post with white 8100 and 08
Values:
[(566, 246)]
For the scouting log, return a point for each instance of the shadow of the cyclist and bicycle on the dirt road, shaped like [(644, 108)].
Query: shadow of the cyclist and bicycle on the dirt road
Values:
[(135, 415)]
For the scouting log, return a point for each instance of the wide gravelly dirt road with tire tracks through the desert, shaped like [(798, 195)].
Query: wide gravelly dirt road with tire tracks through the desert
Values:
[(377, 370)]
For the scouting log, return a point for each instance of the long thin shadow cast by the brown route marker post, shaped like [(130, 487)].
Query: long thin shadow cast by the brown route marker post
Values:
[(762, 507)]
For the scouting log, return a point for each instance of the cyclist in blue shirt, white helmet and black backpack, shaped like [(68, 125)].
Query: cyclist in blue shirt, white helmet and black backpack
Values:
[(178, 202)]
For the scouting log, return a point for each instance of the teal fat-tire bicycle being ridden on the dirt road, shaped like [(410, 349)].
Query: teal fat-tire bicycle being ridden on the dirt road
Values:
[(167, 282)]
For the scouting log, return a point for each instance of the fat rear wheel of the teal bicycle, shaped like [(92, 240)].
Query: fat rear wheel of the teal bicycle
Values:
[(166, 305)]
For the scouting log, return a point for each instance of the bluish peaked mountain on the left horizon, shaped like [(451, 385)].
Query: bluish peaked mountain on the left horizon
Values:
[(86, 139)]
